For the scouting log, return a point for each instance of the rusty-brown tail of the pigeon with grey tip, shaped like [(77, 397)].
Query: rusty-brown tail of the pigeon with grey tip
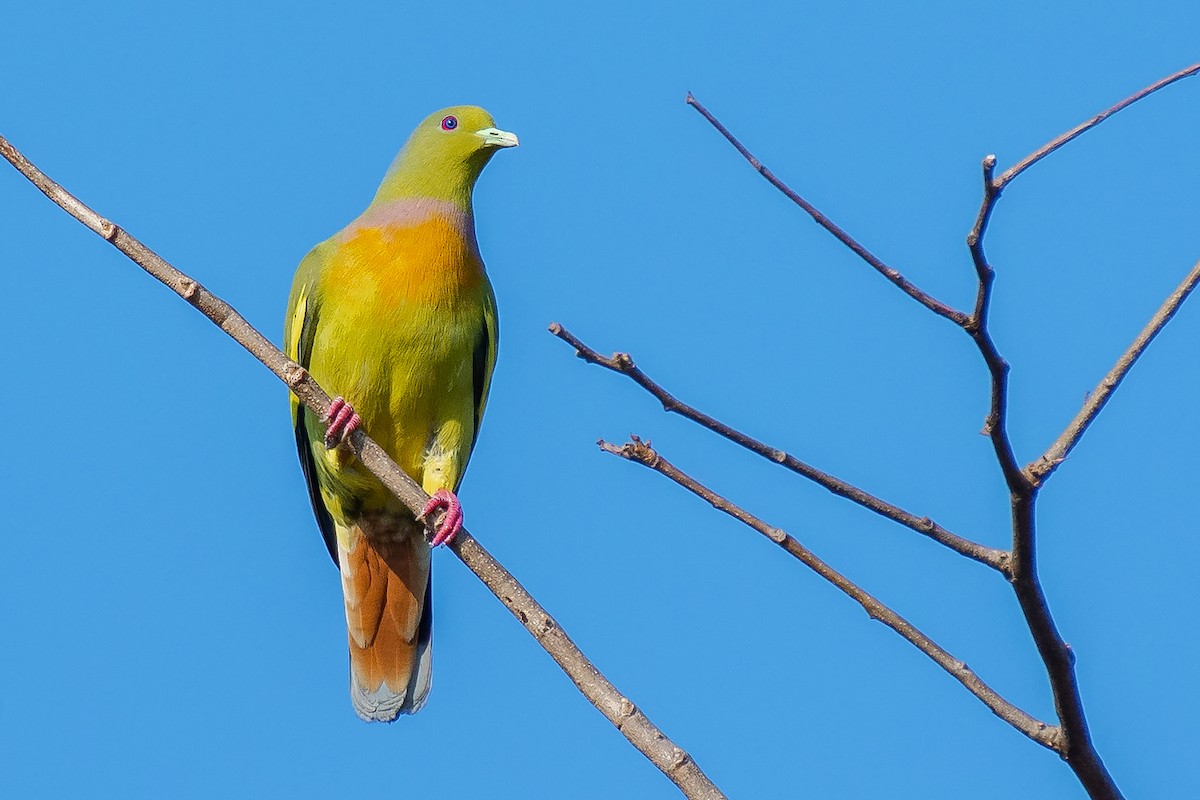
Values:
[(386, 581)]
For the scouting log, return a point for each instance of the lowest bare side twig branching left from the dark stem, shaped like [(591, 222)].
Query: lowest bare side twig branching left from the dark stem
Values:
[(1047, 736)]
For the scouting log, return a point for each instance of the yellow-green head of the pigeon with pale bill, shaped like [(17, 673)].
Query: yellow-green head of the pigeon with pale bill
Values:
[(445, 157)]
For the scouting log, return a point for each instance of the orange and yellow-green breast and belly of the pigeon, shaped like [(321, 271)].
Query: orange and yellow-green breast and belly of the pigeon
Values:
[(406, 298)]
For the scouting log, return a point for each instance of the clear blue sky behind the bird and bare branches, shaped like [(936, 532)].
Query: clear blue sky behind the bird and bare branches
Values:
[(172, 622)]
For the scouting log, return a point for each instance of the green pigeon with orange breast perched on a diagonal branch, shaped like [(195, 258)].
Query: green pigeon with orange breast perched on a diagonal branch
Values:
[(397, 316)]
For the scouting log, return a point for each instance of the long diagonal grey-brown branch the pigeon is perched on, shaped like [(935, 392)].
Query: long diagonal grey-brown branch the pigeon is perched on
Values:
[(629, 720)]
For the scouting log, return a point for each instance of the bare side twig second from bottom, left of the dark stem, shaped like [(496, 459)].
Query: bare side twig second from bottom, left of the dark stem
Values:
[(623, 364)]
